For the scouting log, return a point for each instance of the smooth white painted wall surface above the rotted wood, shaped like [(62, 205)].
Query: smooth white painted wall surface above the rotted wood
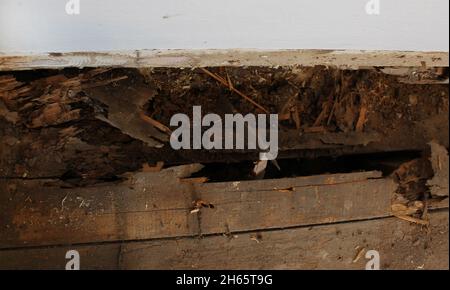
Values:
[(44, 26)]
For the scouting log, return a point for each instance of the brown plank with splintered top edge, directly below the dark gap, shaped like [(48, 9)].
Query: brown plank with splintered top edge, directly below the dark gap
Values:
[(158, 205)]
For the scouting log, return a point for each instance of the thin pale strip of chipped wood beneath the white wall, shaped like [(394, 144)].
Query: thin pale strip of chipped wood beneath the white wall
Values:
[(198, 58)]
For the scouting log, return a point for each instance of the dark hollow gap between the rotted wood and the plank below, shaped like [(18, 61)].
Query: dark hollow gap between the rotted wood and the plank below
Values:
[(387, 163)]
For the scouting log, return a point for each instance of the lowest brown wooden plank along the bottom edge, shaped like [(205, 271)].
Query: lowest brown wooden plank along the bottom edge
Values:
[(401, 246)]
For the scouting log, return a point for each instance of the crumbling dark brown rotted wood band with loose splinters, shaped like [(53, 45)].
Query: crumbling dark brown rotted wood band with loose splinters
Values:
[(100, 123)]
